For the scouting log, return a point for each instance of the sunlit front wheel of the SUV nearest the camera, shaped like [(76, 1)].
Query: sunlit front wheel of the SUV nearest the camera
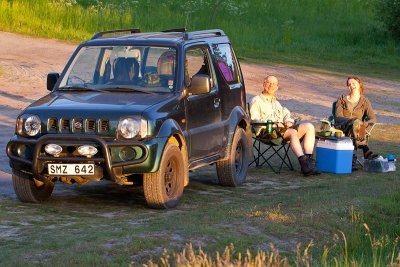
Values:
[(163, 189)]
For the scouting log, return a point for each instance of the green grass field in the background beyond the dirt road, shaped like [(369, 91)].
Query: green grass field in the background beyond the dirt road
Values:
[(340, 35)]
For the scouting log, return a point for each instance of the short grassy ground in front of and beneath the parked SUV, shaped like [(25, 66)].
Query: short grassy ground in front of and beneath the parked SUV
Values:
[(352, 220)]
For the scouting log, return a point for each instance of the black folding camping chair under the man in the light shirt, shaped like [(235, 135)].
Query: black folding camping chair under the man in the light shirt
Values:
[(265, 151)]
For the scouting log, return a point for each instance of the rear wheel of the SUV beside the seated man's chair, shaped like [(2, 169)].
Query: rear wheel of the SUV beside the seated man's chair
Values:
[(233, 170)]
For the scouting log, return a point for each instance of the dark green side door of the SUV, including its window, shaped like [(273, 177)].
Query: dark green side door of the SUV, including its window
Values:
[(203, 111)]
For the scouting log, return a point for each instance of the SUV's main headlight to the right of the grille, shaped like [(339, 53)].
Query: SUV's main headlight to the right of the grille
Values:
[(131, 127)]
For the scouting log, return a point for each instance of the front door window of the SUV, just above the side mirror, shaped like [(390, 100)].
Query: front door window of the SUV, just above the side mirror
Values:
[(197, 61)]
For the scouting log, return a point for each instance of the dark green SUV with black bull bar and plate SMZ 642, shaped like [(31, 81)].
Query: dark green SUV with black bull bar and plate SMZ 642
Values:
[(137, 109)]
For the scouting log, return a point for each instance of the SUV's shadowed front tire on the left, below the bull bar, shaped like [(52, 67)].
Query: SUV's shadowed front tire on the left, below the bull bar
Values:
[(27, 190)]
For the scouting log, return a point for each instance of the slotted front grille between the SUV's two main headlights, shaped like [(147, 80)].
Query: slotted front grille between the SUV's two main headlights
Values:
[(77, 125)]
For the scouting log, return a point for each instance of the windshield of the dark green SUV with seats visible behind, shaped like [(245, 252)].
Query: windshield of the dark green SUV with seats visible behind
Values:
[(140, 68)]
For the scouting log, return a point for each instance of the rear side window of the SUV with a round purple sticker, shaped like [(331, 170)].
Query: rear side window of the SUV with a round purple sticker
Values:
[(226, 62)]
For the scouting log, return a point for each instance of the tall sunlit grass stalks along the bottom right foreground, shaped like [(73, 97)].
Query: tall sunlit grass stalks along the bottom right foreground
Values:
[(361, 247)]
